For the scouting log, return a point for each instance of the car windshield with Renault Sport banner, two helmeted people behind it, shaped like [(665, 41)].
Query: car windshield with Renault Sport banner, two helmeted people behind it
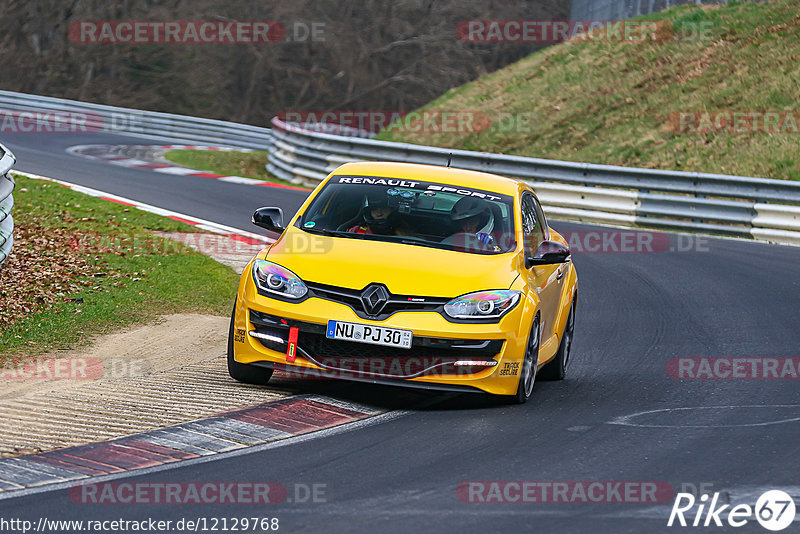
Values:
[(413, 212)]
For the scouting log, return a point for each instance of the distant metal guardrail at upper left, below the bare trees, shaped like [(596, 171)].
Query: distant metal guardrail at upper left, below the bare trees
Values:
[(153, 124)]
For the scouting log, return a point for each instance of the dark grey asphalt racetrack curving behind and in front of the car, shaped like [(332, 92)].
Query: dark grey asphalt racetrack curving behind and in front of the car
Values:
[(723, 298)]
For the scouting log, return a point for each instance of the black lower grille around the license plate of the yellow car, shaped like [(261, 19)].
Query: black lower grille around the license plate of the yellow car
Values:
[(427, 356)]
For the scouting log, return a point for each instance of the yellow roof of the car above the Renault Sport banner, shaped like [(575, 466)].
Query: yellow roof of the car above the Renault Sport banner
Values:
[(431, 173)]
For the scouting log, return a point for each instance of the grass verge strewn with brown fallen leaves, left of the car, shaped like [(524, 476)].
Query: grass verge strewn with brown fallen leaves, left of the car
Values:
[(83, 266)]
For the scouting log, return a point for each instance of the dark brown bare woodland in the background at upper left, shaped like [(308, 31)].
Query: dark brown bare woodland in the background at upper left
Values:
[(376, 54)]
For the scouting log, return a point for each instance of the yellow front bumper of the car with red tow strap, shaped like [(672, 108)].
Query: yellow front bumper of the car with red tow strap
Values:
[(453, 356)]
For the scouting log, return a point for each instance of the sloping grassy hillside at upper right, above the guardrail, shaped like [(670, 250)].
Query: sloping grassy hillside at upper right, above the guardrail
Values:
[(616, 102)]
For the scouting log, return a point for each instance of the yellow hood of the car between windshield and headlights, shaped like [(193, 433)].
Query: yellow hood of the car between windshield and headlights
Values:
[(404, 269)]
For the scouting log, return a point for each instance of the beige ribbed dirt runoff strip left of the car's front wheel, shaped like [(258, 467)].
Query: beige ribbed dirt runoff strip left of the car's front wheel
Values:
[(140, 379)]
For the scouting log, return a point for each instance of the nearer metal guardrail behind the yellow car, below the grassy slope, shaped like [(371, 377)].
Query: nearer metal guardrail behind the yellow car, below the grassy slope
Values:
[(763, 209)]
